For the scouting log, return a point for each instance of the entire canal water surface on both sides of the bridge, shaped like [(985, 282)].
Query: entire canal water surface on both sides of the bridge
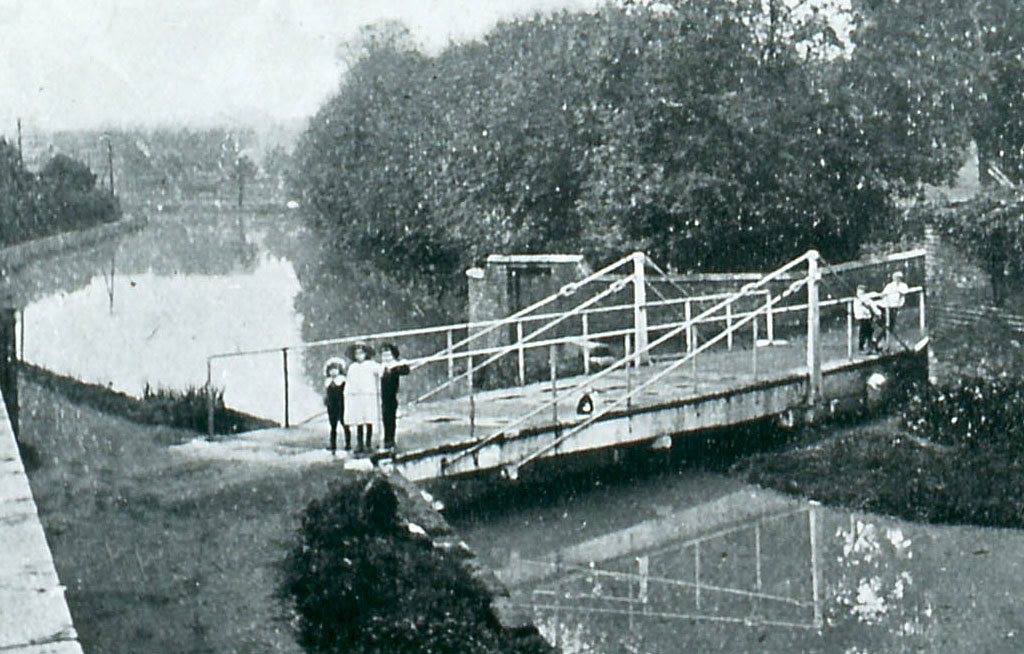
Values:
[(656, 552)]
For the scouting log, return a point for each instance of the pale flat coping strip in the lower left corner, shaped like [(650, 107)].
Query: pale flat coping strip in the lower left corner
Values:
[(34, 615)]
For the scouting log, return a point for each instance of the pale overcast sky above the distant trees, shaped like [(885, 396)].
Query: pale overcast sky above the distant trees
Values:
[(69, 64)]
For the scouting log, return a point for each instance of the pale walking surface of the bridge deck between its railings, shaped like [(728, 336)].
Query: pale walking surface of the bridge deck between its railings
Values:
[(444, 424)]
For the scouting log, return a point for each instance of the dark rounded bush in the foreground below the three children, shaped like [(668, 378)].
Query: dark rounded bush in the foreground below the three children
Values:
[(359, 582)]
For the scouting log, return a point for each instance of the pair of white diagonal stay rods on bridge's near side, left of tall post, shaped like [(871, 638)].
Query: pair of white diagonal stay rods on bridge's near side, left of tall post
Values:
[(743, 292)]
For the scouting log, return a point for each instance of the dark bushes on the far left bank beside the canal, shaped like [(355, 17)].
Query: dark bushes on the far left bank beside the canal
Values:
[(62, 198)]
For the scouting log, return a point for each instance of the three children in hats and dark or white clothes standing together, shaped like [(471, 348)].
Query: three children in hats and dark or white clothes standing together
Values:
[(363, 395)]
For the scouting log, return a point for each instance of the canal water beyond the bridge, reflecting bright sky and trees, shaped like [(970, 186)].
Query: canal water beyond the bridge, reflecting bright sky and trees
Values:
[(149, 310)]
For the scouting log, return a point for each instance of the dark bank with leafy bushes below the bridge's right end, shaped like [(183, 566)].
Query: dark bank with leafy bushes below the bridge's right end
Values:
[(952, 455)]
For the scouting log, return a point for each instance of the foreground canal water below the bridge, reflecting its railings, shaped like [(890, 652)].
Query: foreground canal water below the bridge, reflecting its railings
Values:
[(611, 561)]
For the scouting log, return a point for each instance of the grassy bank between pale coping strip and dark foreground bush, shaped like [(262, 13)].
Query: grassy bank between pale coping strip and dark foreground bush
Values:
[(160, 554)]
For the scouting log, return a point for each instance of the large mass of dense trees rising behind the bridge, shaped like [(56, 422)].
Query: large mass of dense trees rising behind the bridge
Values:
[(714, 136)]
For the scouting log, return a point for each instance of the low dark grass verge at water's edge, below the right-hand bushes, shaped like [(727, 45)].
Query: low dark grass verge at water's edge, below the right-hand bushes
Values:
[(884, 469)]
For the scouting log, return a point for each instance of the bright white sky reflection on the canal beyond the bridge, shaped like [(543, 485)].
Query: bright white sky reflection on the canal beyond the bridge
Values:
[(162, 328)]
